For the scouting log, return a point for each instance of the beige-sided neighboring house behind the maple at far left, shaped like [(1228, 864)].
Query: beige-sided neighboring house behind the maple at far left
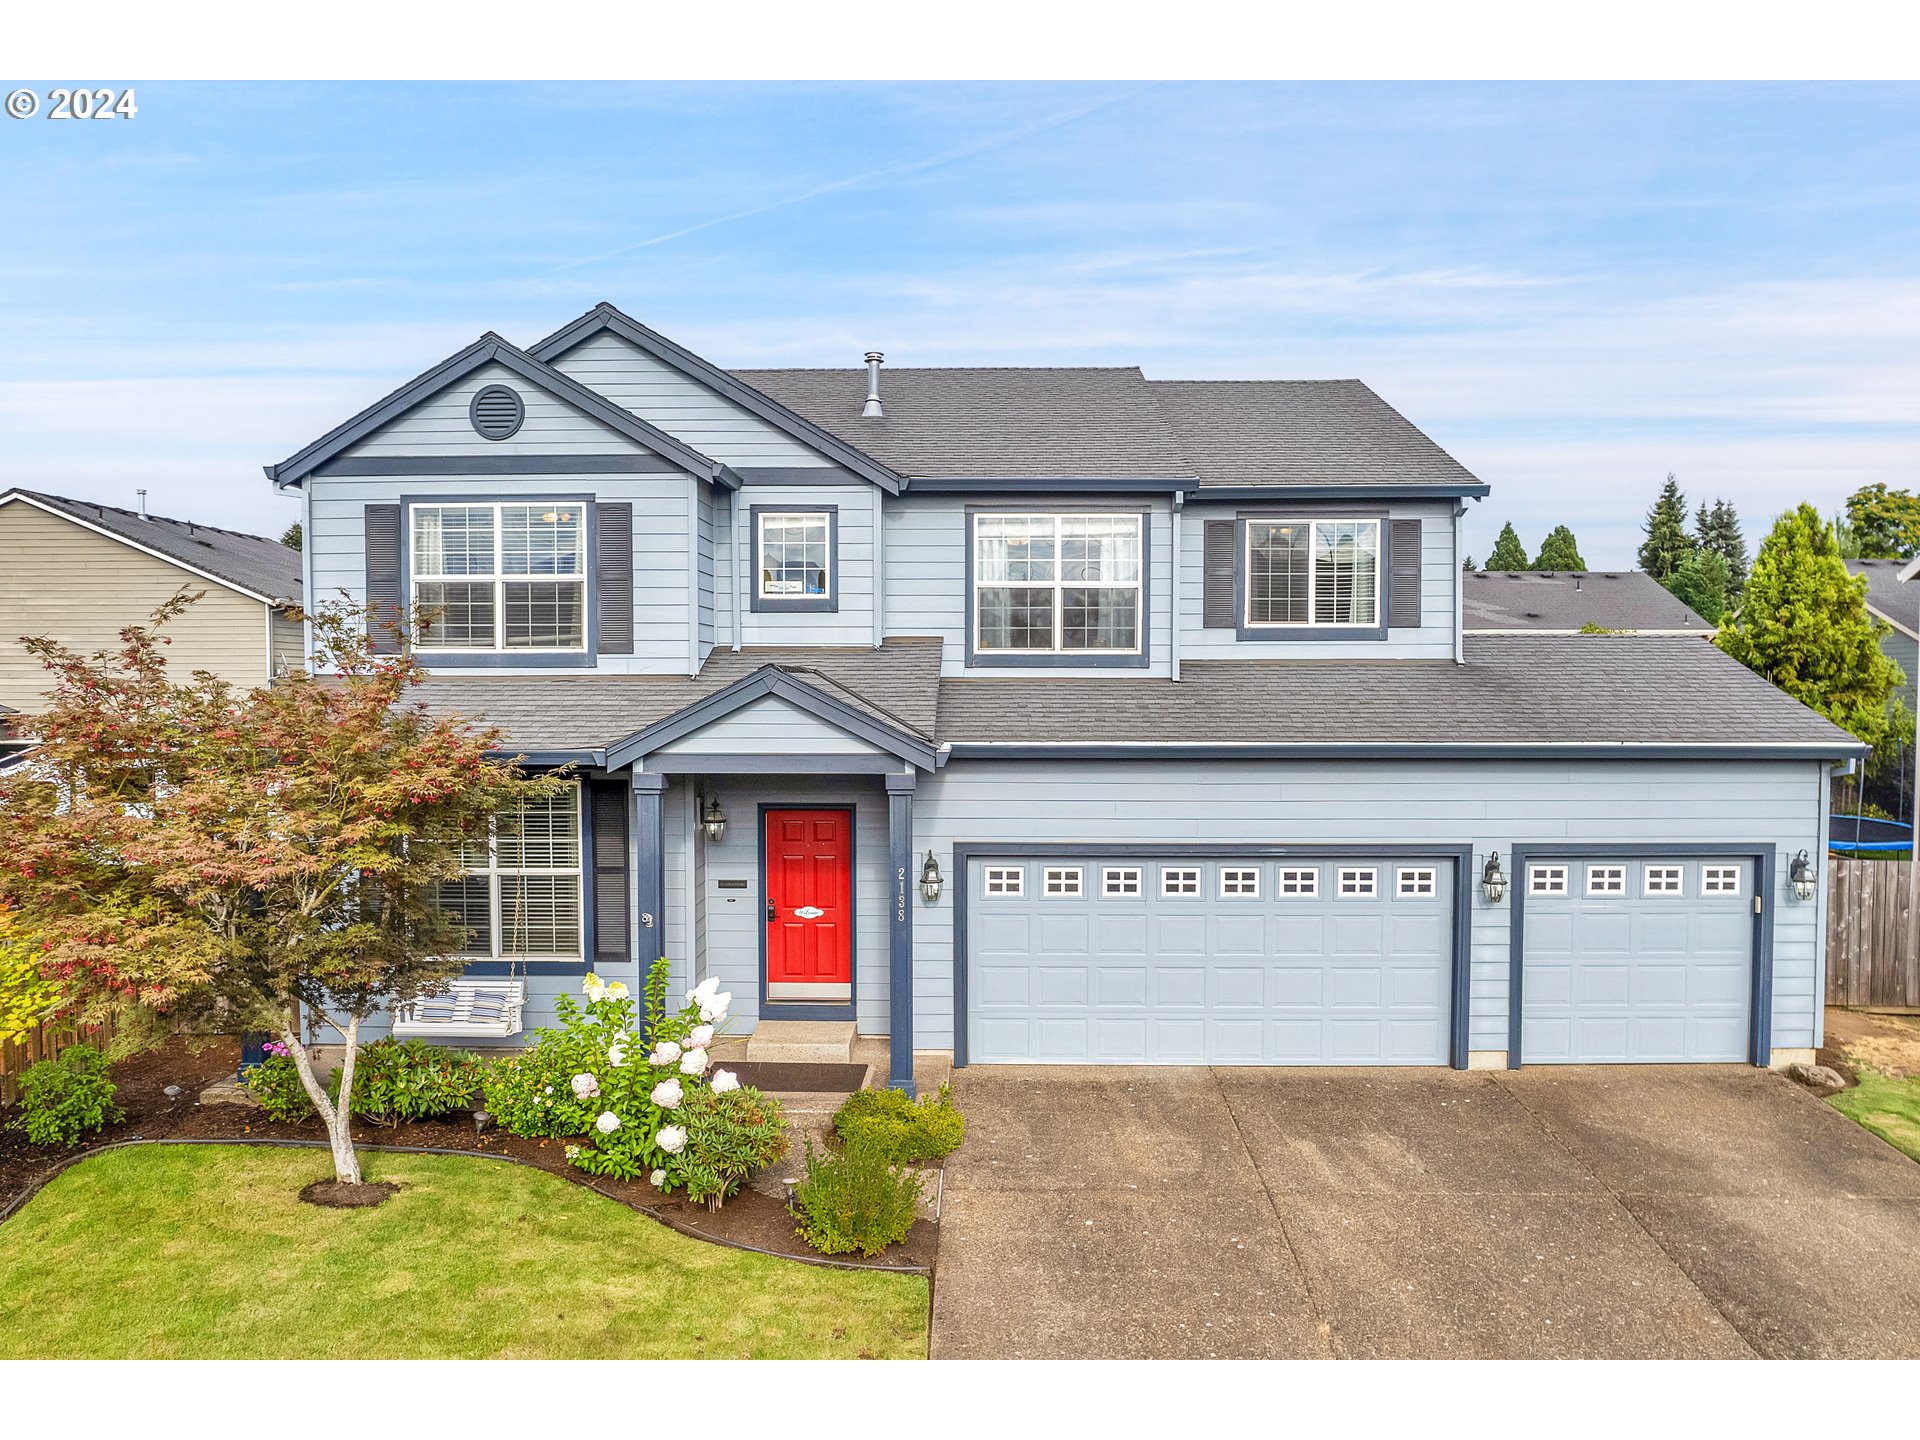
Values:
[(82, 573)]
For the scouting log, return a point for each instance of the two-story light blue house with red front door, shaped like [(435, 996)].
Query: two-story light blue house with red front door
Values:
[(1061, 715)]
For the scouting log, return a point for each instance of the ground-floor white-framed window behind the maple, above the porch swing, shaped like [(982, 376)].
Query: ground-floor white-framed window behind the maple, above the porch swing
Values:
[(521, 894)]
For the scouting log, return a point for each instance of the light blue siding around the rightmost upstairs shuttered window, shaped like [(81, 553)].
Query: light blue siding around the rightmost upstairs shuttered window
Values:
[(1439, 583)]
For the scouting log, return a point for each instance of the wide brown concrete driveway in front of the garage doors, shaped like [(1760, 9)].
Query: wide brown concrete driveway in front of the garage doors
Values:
[(1621, 1212)]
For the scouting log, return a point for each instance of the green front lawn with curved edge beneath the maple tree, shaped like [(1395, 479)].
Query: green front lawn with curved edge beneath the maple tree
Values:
[(206, 1253)]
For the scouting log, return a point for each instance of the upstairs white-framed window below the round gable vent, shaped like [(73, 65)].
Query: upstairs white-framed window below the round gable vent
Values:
[(502, 577)]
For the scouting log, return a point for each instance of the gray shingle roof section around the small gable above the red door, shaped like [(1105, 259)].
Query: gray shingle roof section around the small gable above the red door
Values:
[(898, 684)]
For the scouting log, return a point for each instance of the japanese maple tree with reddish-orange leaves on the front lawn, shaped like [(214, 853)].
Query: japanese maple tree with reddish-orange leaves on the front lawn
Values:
[(220, 859)]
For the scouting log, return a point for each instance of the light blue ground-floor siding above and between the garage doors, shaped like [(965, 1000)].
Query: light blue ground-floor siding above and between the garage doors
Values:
[(1491, 805)]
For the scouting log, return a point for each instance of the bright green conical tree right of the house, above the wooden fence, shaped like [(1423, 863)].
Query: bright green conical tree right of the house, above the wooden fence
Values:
[(1804, 625)]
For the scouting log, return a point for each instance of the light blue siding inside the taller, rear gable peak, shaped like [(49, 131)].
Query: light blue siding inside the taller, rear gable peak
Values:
[(683, 406)]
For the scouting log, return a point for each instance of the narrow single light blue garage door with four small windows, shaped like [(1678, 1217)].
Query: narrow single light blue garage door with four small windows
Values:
[(1637, 961)]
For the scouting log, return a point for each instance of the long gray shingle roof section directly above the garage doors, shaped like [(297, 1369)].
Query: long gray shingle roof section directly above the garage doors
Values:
[(1514, 690)]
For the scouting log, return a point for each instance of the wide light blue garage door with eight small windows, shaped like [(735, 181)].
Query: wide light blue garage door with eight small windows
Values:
[(1259, 963)]
